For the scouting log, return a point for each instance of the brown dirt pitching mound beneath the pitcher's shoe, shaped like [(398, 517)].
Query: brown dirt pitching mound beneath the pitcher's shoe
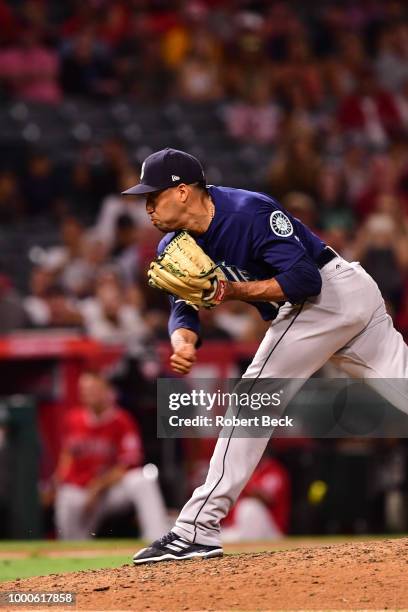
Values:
[(359, 575)]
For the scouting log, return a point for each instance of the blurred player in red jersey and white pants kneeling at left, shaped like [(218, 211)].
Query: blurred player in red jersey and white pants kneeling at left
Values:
[(100, 467)]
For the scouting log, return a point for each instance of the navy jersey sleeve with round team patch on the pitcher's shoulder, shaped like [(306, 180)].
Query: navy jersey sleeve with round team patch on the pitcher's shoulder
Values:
[(276, 243)]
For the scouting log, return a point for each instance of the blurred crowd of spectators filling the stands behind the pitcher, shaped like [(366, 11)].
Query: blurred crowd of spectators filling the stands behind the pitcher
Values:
[(322, 92)]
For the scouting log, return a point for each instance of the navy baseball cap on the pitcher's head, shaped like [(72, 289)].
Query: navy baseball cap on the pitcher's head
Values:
[(167, 168)]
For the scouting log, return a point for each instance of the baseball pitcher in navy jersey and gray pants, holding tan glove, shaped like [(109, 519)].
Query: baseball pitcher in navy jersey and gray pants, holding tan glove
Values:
[(232, 244)]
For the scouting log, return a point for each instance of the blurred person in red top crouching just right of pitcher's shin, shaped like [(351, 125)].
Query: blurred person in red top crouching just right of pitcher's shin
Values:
[(262, 510)]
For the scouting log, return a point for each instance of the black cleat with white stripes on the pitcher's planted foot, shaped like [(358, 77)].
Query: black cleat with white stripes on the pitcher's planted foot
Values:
[(172, 547)]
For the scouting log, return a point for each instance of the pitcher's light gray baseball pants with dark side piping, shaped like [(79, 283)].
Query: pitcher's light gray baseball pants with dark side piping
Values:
[(346, 323)]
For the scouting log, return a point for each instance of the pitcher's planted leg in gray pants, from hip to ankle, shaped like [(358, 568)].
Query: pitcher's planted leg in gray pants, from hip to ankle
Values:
[(300, 341)]
